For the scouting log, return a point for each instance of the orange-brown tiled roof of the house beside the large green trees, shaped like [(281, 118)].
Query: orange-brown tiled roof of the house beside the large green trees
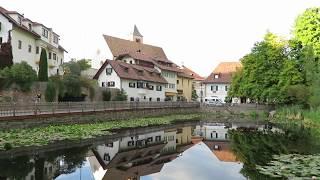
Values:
[(225, 71)]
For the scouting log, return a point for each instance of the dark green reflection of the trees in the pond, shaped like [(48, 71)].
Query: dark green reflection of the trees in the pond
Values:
[(253, 147)]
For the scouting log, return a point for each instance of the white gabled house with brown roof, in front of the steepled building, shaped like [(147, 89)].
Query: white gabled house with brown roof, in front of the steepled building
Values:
[(140, 83)]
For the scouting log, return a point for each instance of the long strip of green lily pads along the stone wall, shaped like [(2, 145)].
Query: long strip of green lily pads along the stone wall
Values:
[(40, 136)]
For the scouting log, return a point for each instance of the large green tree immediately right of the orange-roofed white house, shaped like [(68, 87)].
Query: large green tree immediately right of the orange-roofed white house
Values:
[(259, 78)]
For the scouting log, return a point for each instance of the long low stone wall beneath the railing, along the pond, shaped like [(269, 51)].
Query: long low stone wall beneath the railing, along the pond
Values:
[(91, 117)]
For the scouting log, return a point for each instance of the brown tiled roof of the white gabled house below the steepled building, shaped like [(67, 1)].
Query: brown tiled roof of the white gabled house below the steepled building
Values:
[(131, 71)]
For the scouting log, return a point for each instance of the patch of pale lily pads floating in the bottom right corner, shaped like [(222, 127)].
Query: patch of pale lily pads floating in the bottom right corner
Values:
[(292, 166)]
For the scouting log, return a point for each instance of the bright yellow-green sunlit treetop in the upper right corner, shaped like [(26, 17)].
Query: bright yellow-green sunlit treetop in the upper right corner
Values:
[(307, 29)]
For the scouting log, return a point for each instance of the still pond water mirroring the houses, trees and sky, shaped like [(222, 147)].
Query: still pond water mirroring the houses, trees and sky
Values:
[(192, 150)]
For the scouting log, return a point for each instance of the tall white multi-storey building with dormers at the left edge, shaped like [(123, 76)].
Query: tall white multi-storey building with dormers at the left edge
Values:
[(28, 38)]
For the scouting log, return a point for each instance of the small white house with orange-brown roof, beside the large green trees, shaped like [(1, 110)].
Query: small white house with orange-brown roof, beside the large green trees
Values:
[(219, 81)]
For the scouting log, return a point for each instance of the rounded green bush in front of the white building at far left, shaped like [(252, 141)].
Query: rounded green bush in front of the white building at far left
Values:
[(21, 74)]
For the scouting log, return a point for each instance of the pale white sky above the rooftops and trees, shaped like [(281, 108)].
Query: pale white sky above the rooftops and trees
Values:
[(196, 33)]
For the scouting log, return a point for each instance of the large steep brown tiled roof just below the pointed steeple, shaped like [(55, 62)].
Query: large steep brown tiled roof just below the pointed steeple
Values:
[(121, 46)]
